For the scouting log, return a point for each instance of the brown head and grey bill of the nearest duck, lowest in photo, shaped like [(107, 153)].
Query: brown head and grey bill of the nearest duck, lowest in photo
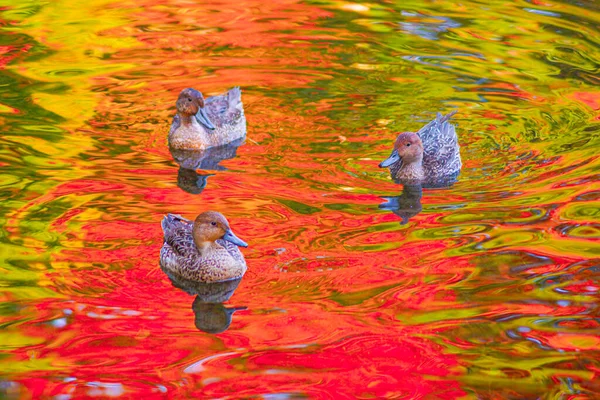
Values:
[(211, 226)]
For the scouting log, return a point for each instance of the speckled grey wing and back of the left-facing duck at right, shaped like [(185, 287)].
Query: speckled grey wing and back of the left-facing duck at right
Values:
[(441, 151)]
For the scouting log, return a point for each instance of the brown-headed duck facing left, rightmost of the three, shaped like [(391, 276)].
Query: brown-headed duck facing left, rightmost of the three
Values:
[(430, 155)]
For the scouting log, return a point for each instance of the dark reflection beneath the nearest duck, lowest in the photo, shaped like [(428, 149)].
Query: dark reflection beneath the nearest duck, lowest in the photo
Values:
[(210, 315)]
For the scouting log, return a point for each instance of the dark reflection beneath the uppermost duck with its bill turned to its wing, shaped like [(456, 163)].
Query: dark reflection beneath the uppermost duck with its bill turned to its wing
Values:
[(208, 160)]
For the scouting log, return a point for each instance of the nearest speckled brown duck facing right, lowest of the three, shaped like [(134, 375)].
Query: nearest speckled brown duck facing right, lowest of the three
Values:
[(203, 251)]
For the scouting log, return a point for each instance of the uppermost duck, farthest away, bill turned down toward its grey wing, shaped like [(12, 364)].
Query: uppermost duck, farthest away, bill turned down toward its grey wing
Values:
[(201, 124)]
